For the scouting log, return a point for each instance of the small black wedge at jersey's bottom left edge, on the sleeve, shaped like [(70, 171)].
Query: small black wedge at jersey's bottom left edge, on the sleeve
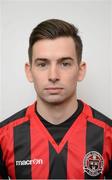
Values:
[(3, 170)]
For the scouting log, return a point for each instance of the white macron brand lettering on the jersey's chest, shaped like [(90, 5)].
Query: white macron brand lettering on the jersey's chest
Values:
[(29, 162)]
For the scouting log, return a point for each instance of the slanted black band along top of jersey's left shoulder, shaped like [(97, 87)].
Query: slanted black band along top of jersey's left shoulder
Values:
[(14, 117)]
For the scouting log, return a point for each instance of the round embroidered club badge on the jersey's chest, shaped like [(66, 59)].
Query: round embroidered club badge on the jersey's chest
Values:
[(93, 163)]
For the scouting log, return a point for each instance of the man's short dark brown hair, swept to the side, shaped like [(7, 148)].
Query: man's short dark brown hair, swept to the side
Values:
[(52, 29)]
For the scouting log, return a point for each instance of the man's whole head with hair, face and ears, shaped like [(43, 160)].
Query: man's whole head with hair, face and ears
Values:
[(55, 65)]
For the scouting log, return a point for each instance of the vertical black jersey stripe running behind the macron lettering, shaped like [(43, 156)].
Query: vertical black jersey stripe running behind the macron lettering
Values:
[(22, 150)]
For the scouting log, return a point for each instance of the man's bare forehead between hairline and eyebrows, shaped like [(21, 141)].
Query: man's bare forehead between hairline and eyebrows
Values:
[(63, 46)]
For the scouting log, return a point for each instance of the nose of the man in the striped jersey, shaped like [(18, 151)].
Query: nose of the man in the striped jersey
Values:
[(53, 74)]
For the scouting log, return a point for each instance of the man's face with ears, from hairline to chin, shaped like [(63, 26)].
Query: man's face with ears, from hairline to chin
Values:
[(55, 70)]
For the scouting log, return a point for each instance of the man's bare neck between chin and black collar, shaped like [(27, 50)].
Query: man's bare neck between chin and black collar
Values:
[(57, 113)]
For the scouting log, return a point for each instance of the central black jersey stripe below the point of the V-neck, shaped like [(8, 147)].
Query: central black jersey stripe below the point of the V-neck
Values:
[(58, 163)]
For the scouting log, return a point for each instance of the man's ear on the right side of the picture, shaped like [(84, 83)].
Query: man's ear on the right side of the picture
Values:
[(82, 71)]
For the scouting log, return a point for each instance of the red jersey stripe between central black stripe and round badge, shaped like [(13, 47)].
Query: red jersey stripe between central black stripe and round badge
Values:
[(76, 151)]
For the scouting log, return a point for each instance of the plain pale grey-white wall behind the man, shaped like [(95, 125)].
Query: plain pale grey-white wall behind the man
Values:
[(94, 20)]
